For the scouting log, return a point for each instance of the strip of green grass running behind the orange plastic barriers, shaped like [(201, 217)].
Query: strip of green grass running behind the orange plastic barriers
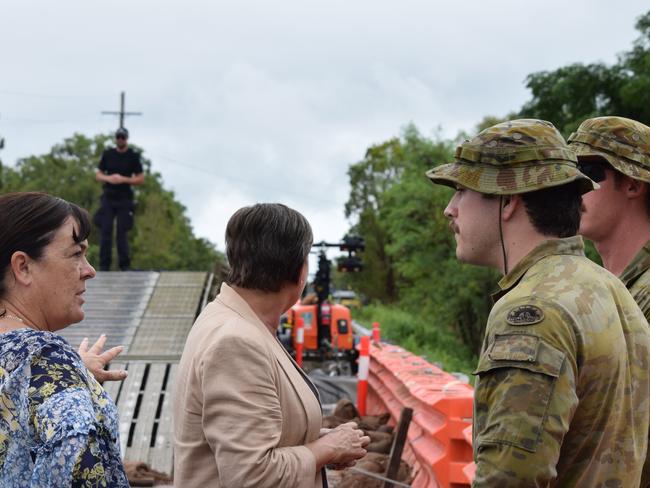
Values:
[(417, 334)]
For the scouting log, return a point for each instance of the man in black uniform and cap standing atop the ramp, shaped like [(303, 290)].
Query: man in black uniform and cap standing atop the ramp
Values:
[(119, 168)]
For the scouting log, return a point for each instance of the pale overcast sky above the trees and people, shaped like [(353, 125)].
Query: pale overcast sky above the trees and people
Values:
[(259, 101)]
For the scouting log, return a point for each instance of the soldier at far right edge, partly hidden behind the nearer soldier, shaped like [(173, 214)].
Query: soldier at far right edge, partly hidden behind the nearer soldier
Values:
[(615, 151)]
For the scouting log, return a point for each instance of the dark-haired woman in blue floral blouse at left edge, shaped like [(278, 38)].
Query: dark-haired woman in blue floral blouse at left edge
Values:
[(58, 427)]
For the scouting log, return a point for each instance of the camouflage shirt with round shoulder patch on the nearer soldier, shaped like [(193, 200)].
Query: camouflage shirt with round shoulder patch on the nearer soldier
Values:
[(562, 394)]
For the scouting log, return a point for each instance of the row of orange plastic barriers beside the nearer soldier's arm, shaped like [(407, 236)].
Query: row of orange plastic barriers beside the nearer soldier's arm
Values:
[(442, 411)]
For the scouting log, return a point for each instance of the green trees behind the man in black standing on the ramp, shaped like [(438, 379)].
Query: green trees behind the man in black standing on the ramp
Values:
[(162, 237)]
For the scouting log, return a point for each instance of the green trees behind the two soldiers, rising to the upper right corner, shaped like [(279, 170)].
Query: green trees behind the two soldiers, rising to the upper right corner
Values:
[(410, 259)]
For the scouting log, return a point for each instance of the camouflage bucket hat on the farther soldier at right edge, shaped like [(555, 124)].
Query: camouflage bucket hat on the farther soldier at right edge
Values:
[(623, 143)]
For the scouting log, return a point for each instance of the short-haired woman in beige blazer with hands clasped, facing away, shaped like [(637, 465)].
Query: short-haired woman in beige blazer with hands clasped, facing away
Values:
[(245, 415)]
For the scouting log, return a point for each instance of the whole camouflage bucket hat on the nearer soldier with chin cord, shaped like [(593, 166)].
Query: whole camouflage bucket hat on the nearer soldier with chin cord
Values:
[(513, 157)]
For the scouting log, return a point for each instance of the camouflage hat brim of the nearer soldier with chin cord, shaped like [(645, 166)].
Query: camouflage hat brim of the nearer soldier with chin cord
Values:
[(511, 179)]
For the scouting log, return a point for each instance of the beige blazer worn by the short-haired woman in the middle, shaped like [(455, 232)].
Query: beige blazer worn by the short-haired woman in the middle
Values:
[(242, 411)]
